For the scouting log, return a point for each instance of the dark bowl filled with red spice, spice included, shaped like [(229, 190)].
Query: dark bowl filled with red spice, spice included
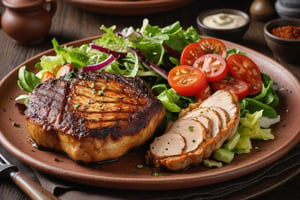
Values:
[(282, 36)]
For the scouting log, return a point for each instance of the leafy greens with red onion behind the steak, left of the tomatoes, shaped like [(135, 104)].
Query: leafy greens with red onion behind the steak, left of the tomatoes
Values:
[(148, 52)]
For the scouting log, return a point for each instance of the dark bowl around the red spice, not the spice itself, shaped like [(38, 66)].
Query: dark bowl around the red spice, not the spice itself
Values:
[(283, 49)]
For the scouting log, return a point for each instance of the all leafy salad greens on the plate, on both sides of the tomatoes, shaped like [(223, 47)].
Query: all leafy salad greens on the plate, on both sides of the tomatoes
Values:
[(150, 52)]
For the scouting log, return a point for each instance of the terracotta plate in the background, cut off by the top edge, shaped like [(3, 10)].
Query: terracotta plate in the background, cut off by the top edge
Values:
[(129, 7)]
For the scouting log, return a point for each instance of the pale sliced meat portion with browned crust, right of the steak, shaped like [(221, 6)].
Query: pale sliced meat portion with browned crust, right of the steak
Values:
[(218, 117)]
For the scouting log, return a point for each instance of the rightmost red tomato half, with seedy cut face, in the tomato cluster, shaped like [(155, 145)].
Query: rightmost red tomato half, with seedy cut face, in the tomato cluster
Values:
[(243, 68)]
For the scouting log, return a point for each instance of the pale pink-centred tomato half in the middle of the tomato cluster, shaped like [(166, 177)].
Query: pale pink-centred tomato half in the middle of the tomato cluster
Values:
[(213, 65)]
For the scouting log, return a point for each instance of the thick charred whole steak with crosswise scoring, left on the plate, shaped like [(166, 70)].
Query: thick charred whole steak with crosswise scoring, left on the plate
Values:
[(93, 116)]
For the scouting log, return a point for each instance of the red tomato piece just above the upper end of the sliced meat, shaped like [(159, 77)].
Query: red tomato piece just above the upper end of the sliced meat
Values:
[(239, 87)]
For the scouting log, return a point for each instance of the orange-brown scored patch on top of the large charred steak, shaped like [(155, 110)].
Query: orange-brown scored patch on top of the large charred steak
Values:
[(105, 110)]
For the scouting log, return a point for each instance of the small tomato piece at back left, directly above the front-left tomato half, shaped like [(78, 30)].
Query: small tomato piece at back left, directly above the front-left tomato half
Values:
[(190, 53)]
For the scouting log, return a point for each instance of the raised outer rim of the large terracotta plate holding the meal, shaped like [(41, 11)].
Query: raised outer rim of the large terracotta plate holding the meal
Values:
[(151, 182)]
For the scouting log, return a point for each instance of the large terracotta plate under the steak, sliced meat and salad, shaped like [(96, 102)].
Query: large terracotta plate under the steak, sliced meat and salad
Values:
[(124, 174)]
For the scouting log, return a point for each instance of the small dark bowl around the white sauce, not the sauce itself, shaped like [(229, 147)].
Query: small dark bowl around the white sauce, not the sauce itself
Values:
[(235, 33)]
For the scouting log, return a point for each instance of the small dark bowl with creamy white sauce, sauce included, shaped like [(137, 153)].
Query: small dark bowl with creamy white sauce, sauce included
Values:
[(228, 24)]
